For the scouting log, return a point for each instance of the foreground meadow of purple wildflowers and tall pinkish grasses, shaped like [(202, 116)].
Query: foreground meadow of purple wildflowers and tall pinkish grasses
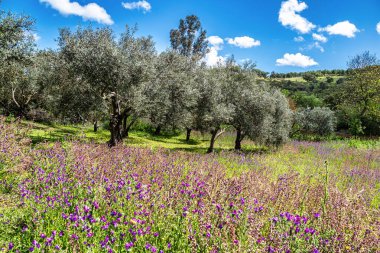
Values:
[(78, 196)]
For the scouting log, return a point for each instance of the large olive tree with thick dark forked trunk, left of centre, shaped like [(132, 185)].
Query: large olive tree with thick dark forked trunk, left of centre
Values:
[(112, 69)]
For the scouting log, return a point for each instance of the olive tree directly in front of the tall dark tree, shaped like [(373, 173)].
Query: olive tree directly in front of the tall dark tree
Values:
[(172, 94)]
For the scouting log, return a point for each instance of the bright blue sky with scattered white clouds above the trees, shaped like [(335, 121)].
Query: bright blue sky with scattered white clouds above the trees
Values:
[(279, 35)]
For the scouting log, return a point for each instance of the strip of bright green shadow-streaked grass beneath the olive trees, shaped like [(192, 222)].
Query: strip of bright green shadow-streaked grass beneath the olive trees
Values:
[(199, 143)]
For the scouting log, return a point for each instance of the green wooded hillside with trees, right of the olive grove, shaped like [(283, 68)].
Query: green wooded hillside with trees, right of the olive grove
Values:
[(354, 97)]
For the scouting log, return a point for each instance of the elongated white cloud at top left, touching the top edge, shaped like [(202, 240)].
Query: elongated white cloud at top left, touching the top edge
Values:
[(91, 11)]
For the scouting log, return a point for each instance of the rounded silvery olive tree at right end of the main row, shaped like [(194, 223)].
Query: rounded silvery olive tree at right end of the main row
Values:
[(260, 113)]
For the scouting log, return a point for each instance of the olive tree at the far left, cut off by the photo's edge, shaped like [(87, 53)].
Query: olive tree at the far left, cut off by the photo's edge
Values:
[(16, 53)]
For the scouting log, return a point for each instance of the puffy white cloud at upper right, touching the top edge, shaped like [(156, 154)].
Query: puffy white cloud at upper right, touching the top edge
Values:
[(288, 16)]
